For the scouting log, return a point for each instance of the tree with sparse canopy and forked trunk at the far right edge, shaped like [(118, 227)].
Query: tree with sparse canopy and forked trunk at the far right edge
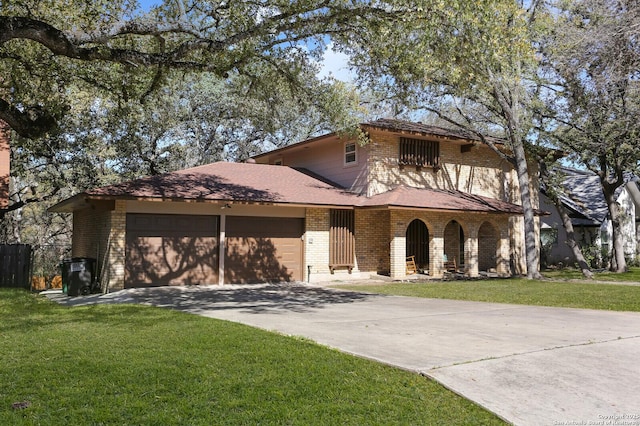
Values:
[(593, 54)]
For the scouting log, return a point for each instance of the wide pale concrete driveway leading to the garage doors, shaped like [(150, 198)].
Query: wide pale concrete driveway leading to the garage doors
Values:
[(529, 365)]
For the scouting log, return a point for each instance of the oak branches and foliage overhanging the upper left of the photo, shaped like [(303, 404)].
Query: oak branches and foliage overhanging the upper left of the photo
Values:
[(48, 46)]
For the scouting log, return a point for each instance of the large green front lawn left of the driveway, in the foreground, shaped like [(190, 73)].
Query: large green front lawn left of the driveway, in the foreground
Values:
[(129, 364)]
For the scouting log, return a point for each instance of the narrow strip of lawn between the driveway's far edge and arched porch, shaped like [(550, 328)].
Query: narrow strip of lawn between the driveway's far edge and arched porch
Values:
[(570, 294)]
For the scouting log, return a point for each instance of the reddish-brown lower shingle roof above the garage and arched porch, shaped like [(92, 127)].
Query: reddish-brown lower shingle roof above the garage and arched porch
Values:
[(261, 183)]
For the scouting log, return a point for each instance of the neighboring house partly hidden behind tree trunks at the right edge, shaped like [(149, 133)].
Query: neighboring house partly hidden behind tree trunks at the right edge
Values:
[(590, 218)]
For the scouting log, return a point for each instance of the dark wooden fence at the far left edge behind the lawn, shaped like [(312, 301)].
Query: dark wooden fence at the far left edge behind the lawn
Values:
[(15, 265)]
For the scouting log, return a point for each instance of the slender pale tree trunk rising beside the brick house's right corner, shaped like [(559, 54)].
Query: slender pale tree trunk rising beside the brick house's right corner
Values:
[(531, 251)]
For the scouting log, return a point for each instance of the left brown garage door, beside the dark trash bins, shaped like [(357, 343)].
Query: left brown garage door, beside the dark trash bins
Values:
[(165, 249)]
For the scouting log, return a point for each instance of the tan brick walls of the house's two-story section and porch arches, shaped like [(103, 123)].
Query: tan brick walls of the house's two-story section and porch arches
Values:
[(492, 242)]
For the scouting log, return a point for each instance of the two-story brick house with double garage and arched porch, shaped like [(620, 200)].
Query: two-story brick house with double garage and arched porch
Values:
[(322, 209)]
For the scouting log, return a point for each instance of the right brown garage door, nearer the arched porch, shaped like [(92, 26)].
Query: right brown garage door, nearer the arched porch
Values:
[(260, 249)]
